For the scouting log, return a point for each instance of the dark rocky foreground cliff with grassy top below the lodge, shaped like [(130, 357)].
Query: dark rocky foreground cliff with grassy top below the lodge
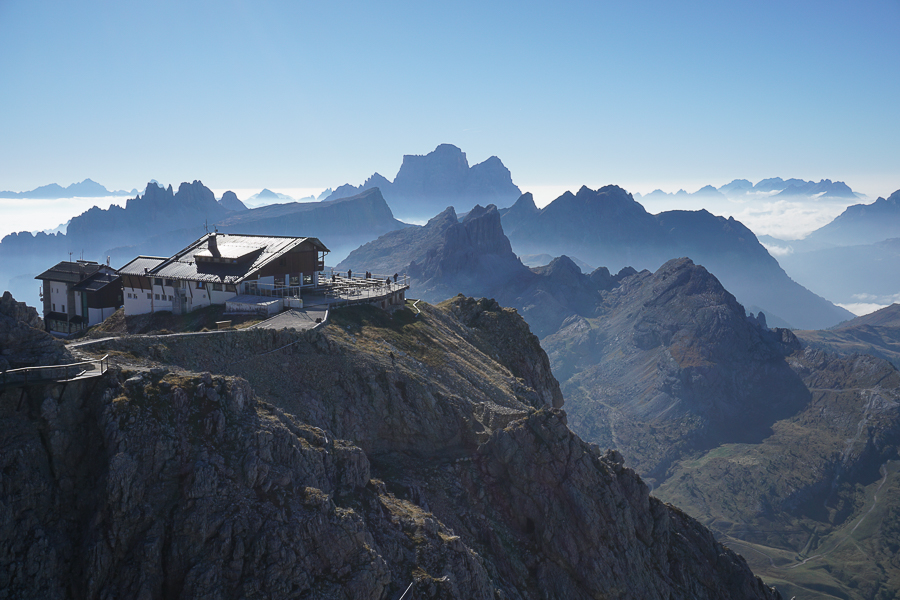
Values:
[(161, 483)]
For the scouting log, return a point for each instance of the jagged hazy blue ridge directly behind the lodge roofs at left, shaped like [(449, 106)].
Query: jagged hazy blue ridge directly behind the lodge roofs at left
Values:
[(162, 221)]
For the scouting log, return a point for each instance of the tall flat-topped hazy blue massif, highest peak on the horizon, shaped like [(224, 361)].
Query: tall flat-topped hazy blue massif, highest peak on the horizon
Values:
[(426, 185)]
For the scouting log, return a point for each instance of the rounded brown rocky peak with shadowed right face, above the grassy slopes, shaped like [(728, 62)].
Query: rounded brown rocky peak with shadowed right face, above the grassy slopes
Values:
[(671, 365)]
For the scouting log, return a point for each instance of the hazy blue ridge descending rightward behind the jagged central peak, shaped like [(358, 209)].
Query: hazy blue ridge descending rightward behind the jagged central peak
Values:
[(607, 227)]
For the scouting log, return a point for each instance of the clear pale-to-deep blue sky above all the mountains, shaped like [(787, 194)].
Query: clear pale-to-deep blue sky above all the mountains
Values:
[(314, 94)]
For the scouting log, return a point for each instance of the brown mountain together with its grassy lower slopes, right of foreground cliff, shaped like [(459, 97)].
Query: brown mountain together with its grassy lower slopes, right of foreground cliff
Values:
[(786, 452)]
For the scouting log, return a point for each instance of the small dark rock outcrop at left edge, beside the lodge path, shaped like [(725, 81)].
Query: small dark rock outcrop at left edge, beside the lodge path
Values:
[(23, 341)]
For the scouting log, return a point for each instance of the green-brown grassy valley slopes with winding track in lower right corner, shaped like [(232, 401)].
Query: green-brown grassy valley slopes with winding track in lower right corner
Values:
[(765, 500)]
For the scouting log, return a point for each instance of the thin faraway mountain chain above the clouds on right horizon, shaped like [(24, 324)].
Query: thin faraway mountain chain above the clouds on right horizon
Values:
[(775, 187)]
